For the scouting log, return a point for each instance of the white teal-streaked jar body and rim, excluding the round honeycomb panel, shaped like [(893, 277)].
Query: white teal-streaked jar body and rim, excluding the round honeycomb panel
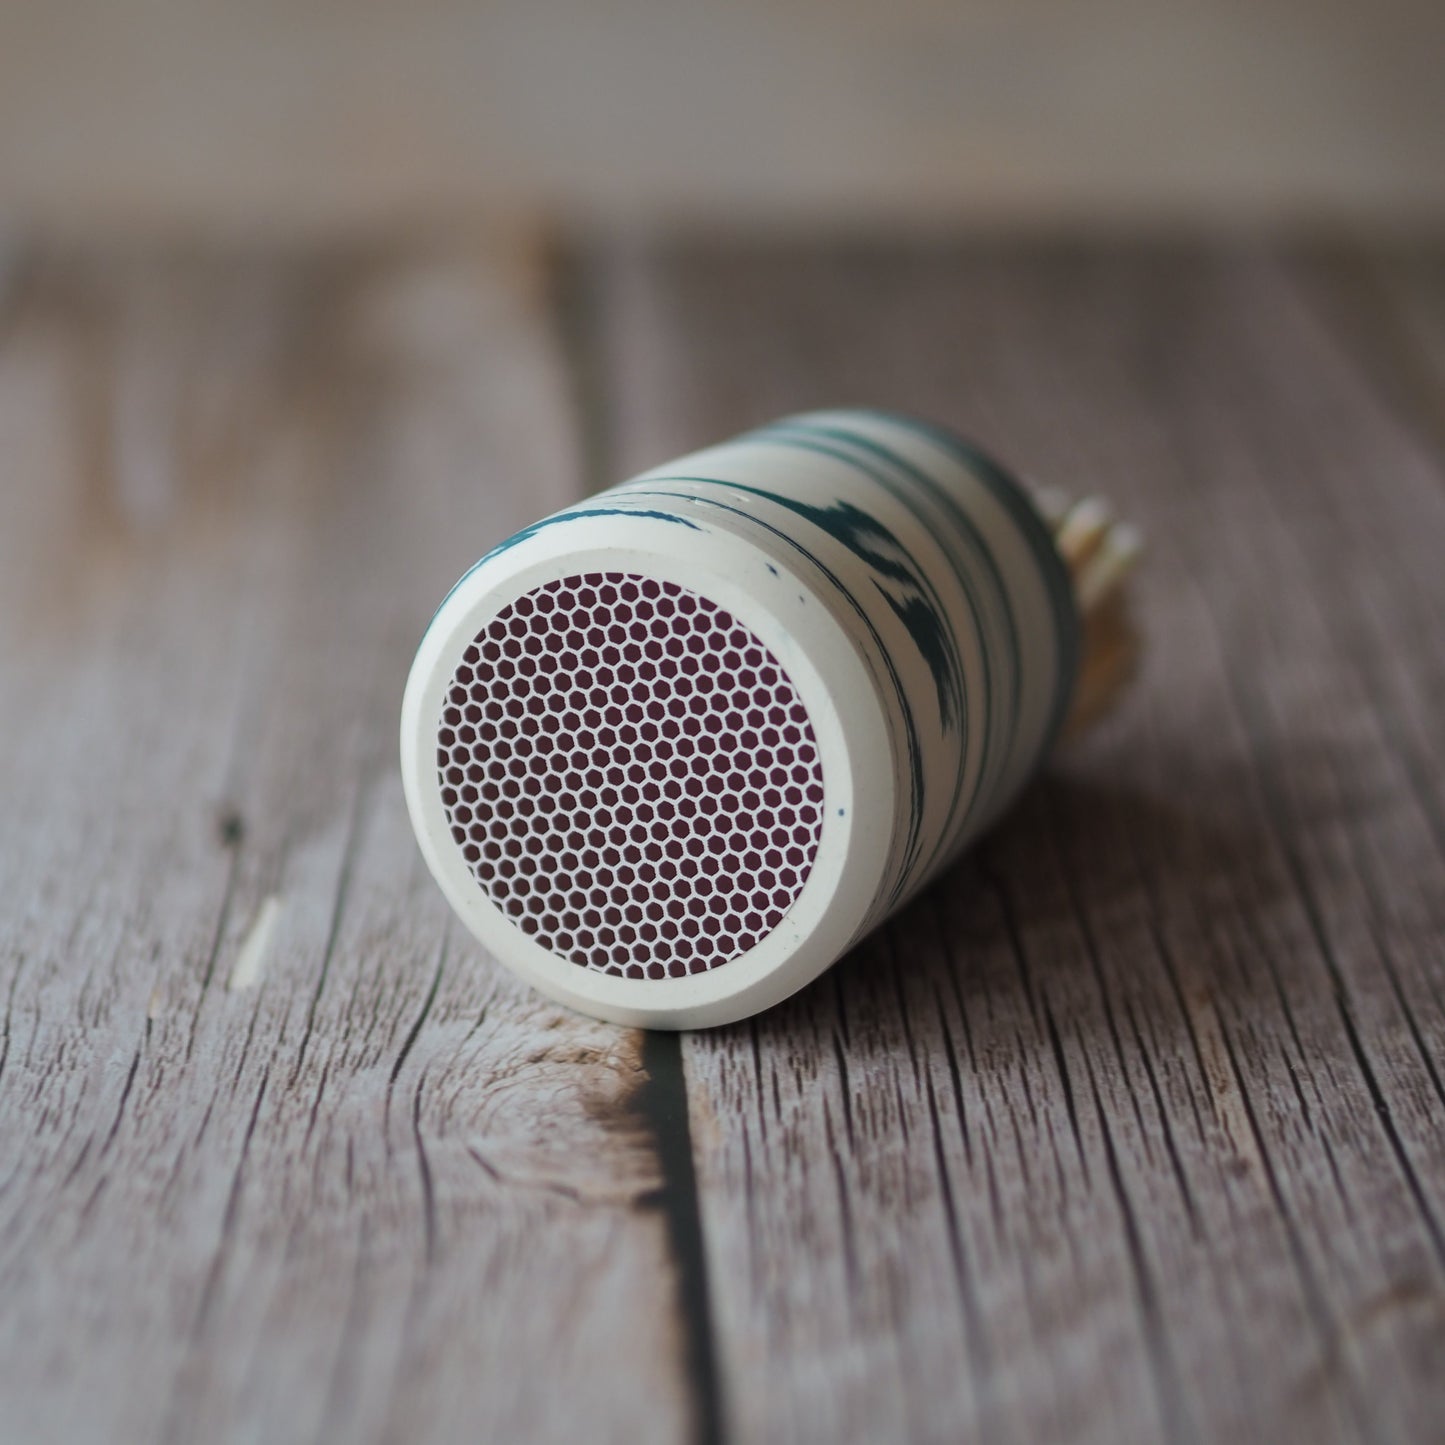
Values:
[(914, 598)]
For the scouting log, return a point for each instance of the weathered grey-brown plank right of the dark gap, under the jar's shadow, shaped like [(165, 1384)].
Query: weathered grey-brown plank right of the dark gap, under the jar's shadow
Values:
[(1135, 1125)]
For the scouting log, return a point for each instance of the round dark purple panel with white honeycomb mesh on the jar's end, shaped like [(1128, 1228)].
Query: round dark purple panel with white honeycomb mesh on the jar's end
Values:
[(631, 775)]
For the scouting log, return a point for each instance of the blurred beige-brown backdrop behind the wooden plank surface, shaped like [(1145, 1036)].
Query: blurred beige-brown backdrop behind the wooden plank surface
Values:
[(324, 115)]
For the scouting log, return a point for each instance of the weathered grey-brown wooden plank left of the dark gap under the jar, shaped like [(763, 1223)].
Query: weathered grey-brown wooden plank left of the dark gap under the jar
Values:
[(282, 1155)]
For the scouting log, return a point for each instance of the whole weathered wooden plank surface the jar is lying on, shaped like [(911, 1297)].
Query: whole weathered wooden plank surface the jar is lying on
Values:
[(1134, 1128)]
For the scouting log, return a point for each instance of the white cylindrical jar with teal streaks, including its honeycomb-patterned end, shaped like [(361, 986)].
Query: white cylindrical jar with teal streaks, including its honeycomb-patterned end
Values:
[(673, 751)]
